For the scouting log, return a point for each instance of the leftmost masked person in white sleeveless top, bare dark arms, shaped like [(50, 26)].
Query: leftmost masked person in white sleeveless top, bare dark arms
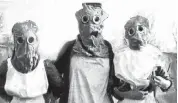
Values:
[(27, 77)]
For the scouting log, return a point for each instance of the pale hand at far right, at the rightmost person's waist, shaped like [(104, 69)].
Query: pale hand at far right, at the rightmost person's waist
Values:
[(161, 82)]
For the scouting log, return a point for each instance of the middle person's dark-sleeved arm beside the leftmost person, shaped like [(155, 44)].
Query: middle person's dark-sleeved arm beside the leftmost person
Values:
[(61, 64)]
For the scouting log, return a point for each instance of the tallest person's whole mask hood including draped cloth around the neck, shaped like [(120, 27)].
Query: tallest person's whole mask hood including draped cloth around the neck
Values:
[(90, 21)]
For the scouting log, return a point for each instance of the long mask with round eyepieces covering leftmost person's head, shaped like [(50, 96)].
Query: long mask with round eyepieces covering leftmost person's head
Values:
[(26, 43)]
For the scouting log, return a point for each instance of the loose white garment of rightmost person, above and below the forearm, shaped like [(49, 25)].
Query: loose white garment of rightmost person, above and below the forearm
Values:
[(136, 67)]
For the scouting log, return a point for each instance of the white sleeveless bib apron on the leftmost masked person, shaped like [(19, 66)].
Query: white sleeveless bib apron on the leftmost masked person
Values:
[(26, 88)]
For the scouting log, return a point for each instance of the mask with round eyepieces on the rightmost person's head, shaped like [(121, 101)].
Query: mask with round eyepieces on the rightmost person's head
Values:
[(136, 32)]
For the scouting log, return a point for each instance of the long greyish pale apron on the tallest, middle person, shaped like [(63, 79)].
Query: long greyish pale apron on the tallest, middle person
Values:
[(88, 80)]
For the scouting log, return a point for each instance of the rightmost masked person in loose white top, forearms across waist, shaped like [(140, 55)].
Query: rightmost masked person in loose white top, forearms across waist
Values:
[(140, 64)]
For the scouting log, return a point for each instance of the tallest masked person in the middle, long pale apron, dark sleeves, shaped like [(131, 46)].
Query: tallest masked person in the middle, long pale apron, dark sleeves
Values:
[(87, 62)]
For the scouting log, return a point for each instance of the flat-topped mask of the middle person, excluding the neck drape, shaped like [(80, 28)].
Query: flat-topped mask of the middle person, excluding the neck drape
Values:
[(90, 20)]
